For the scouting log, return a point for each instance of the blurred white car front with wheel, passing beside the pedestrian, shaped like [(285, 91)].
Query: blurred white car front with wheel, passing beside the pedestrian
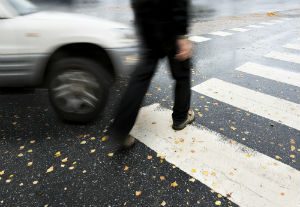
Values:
[(76, 57)]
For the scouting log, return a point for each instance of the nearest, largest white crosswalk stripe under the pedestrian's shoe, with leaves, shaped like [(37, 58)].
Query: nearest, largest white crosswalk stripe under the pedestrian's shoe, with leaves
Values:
[(247, 177)]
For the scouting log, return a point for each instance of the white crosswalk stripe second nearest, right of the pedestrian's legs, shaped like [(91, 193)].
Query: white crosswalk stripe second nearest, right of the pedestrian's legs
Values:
[(270, 107)]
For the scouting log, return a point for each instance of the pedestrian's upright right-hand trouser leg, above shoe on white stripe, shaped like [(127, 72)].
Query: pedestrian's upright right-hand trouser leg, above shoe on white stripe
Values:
[(181, 73)]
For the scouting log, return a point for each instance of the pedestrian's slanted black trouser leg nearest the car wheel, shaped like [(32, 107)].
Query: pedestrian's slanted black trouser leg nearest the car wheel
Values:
[(133, 97)]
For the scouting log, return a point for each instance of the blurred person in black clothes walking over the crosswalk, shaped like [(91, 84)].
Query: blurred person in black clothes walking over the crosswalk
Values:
[(163, 27)]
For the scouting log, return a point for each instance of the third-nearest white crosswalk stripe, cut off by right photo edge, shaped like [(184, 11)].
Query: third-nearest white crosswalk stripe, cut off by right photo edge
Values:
[(272, 73)]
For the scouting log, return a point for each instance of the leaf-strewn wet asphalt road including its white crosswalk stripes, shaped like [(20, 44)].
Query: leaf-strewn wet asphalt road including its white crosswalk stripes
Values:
[(34, 143)]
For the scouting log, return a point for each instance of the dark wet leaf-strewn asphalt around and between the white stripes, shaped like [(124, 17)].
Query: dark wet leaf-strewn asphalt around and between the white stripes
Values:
[(46, 162)]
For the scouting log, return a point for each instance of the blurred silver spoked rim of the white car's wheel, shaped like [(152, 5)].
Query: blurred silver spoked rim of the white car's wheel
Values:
[(76, 92)]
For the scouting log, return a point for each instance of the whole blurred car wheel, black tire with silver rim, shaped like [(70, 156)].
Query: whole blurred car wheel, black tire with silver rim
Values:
[(78, 89)]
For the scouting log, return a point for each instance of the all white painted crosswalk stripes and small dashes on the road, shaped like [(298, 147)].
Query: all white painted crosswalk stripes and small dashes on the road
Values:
[(251, 178)]
